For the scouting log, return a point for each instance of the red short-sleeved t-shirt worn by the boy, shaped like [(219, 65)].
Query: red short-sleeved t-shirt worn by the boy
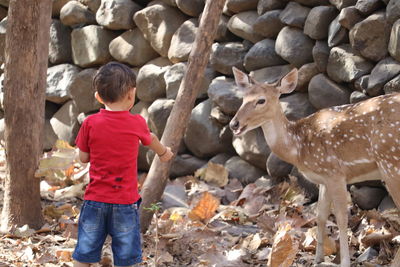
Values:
[(112, 140)]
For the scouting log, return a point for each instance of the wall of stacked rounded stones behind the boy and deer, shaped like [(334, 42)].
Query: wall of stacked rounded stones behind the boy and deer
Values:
[(345, 50)]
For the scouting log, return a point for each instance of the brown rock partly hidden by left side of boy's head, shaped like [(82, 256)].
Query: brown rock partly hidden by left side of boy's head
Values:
[(82, 91)]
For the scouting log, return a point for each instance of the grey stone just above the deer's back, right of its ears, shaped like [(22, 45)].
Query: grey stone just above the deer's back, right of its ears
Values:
[(324, 93)]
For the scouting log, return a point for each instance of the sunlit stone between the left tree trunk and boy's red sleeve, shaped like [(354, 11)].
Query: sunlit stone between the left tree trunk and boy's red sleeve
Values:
[(65, 124)]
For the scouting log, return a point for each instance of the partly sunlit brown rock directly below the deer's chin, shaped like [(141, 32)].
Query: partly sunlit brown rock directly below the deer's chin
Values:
[(253, 148)]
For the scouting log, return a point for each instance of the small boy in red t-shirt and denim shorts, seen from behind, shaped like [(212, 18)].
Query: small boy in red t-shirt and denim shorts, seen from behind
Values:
[(109, 140)]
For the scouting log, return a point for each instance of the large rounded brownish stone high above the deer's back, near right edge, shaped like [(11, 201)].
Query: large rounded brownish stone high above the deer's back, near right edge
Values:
[(370, 37)]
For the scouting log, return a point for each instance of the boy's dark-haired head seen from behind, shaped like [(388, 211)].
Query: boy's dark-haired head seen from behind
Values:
[(113, 81)]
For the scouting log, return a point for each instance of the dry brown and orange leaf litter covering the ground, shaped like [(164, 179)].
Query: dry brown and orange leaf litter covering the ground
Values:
[(220, 223)]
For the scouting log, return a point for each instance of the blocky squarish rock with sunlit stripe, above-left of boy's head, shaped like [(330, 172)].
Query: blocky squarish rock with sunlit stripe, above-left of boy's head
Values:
[(90, 45)]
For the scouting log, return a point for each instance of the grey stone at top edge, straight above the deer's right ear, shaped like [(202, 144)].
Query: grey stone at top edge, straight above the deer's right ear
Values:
[(294, 14)]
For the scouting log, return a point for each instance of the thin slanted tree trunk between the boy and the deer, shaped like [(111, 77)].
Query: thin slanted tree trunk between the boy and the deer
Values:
[(155, 183)]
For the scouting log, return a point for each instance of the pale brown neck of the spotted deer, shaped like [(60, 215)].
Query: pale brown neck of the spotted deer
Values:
[(279, 138)]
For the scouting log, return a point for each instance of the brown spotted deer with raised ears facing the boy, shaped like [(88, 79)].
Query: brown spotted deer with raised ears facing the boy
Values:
[(332, 147)]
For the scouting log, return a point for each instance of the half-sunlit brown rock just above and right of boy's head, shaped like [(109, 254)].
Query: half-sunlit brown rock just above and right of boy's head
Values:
[(131, 47)]
